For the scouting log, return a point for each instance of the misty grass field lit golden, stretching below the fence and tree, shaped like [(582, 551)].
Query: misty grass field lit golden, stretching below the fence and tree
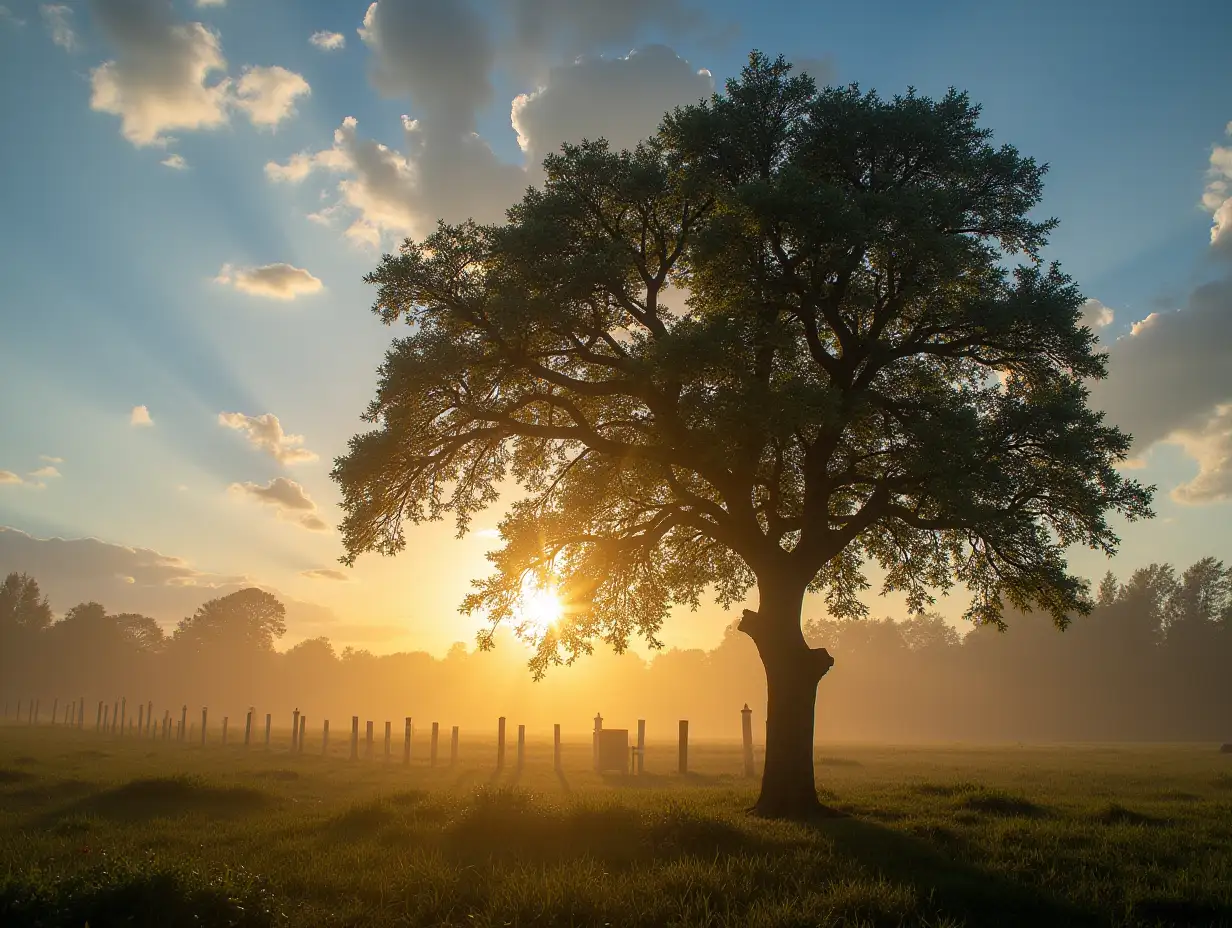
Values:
[(109, 831)]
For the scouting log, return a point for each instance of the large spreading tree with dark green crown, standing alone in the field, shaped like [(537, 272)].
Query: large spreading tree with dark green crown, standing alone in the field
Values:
[(856, 378)]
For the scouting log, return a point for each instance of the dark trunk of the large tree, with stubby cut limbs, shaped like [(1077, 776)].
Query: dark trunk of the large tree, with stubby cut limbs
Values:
[(793, 674)]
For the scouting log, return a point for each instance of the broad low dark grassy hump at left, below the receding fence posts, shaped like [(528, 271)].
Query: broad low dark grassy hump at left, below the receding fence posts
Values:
[(171, 797)]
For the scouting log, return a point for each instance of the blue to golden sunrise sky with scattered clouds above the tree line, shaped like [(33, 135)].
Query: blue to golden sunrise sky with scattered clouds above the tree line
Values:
[(192, 194)]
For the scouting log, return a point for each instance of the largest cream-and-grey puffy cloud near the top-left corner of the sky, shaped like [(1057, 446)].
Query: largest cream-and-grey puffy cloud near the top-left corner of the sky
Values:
[(172, 76)]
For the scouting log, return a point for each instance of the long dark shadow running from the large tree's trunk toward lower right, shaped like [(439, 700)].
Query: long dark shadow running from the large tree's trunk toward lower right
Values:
[(958, 889)]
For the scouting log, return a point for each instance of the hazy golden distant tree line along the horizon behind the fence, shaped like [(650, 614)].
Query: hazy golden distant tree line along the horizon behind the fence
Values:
[(1154, 662)]
